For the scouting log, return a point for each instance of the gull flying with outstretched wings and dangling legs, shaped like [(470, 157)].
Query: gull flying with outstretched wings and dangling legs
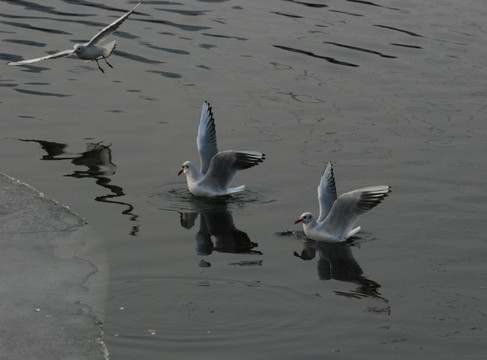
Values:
[(89, 50)]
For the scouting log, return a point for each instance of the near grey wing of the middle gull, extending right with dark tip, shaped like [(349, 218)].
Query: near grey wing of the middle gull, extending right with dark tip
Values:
[(225, 164)]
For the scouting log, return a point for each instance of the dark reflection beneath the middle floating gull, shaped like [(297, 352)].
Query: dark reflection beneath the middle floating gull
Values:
[(217, 230)]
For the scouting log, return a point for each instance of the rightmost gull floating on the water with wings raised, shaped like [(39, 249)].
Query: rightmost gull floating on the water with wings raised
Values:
[(338, 215)]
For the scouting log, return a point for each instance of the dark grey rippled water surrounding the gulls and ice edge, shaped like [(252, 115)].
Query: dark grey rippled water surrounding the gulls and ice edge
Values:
[(392, 92)]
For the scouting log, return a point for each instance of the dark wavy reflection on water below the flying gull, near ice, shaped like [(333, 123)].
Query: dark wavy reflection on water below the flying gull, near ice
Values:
[(98, 159)]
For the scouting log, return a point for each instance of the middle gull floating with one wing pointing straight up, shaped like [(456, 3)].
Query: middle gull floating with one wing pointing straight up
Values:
[(217, 168)]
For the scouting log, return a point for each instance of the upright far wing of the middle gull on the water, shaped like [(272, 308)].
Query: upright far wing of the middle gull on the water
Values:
[(206, 139)]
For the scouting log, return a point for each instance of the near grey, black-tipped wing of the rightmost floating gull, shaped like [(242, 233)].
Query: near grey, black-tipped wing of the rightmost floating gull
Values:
[(348, 207)]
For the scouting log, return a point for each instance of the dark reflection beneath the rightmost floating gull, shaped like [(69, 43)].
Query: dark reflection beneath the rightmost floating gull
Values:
[(336, 262)]
